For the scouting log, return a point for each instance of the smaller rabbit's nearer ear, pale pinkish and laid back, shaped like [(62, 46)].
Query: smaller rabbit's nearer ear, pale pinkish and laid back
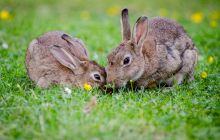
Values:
[(65, 58)]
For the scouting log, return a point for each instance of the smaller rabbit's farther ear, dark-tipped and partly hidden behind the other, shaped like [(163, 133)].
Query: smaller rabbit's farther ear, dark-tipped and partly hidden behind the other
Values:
[(77, 44)]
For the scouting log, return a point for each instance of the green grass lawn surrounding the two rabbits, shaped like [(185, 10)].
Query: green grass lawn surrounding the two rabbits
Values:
[(189, 111)]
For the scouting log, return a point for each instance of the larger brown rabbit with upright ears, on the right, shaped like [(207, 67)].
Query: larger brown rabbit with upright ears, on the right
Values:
[(158, 50)]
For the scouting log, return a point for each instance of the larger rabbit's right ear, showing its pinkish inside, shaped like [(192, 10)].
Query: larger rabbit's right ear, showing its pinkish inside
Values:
[(140, 30)]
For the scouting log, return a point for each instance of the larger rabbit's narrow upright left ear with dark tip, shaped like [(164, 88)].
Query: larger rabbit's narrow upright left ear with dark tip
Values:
[(125, 25)]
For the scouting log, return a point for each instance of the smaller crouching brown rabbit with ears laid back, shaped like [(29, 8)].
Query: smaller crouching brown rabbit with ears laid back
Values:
[(56, 58)]
